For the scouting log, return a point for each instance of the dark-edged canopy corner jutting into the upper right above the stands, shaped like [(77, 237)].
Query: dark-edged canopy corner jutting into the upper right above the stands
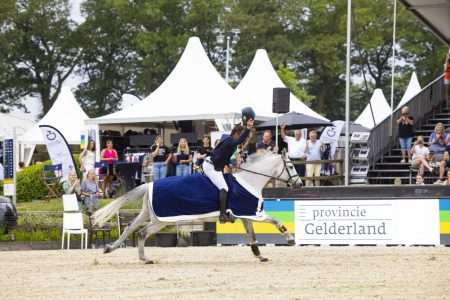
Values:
[(434, 13)]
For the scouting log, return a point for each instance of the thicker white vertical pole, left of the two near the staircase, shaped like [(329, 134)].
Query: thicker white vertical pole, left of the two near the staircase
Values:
[(347, 94)]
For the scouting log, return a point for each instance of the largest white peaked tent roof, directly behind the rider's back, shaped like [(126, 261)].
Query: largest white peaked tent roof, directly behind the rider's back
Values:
[(194, 90)]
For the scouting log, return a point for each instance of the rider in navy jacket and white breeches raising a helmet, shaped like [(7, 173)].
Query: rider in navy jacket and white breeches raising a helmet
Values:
[(220, 158)]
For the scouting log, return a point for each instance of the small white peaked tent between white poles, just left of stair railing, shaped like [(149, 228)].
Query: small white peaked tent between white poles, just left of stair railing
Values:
[(380, 107)]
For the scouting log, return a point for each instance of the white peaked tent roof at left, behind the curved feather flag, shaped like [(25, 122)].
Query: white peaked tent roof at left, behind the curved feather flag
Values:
[(65, 115)]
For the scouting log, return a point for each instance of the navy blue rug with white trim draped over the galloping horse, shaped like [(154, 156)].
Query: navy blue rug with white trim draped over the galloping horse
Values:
[(190, 197)]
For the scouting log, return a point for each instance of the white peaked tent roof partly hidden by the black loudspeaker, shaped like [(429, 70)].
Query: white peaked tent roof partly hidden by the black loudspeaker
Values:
[(256, 88)]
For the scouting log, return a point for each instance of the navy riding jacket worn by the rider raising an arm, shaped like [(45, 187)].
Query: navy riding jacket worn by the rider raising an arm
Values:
[(225, 149)]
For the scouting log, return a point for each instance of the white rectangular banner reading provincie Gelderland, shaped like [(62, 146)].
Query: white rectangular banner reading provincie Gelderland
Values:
[(408, 222)]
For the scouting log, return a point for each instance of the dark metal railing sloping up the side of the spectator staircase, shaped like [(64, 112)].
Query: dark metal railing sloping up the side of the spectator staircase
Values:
[(419, 106)]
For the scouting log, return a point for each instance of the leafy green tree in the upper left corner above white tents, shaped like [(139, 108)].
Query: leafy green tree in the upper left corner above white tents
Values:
[(38, 50)]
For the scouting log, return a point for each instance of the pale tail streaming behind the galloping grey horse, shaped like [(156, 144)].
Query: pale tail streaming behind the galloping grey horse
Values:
[(105, 213)]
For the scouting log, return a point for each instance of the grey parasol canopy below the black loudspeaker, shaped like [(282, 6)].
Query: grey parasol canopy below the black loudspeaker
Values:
[(294, 120)]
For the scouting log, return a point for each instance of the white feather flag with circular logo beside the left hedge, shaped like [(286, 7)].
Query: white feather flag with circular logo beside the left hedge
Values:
[(58, 149)]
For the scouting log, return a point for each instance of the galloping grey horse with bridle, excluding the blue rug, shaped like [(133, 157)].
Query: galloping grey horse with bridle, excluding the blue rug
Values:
[(253, 176)]
